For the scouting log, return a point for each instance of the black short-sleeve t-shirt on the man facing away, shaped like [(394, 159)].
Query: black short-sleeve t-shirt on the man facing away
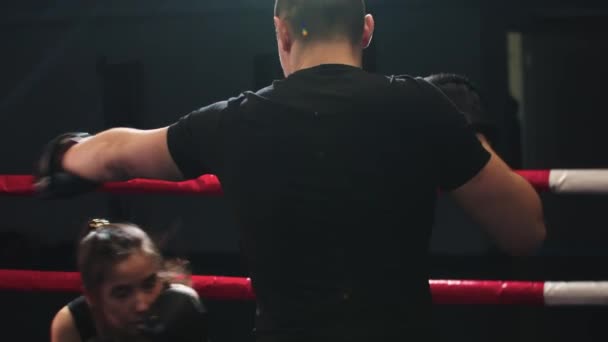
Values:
[(332, 174)]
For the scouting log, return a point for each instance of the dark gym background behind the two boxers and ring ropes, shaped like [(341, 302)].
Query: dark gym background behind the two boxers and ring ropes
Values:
[(82, 65)]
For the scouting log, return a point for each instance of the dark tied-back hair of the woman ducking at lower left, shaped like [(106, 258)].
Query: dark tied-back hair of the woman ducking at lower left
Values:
[(105, 244)]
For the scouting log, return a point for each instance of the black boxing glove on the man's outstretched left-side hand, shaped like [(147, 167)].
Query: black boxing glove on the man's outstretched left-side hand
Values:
[(50, 178)]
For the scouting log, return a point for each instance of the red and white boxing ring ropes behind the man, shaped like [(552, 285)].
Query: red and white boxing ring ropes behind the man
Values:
[(444, 291)]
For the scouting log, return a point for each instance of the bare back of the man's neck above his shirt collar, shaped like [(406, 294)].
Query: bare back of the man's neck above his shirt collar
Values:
[(315, 54)]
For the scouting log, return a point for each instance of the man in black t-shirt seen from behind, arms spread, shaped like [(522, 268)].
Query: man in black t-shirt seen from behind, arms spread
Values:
[(332, 174)]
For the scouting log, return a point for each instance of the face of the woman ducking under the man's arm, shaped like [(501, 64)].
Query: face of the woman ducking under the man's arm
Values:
[(130, 289)]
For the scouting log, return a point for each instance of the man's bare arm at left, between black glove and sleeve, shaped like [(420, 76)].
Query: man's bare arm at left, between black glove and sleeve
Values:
[(121, 154)]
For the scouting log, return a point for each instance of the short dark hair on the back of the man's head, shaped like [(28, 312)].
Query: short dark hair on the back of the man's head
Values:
[(317, 20)]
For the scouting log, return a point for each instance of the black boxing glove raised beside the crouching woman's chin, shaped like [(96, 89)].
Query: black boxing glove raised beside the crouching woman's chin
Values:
[(176, 315)]
